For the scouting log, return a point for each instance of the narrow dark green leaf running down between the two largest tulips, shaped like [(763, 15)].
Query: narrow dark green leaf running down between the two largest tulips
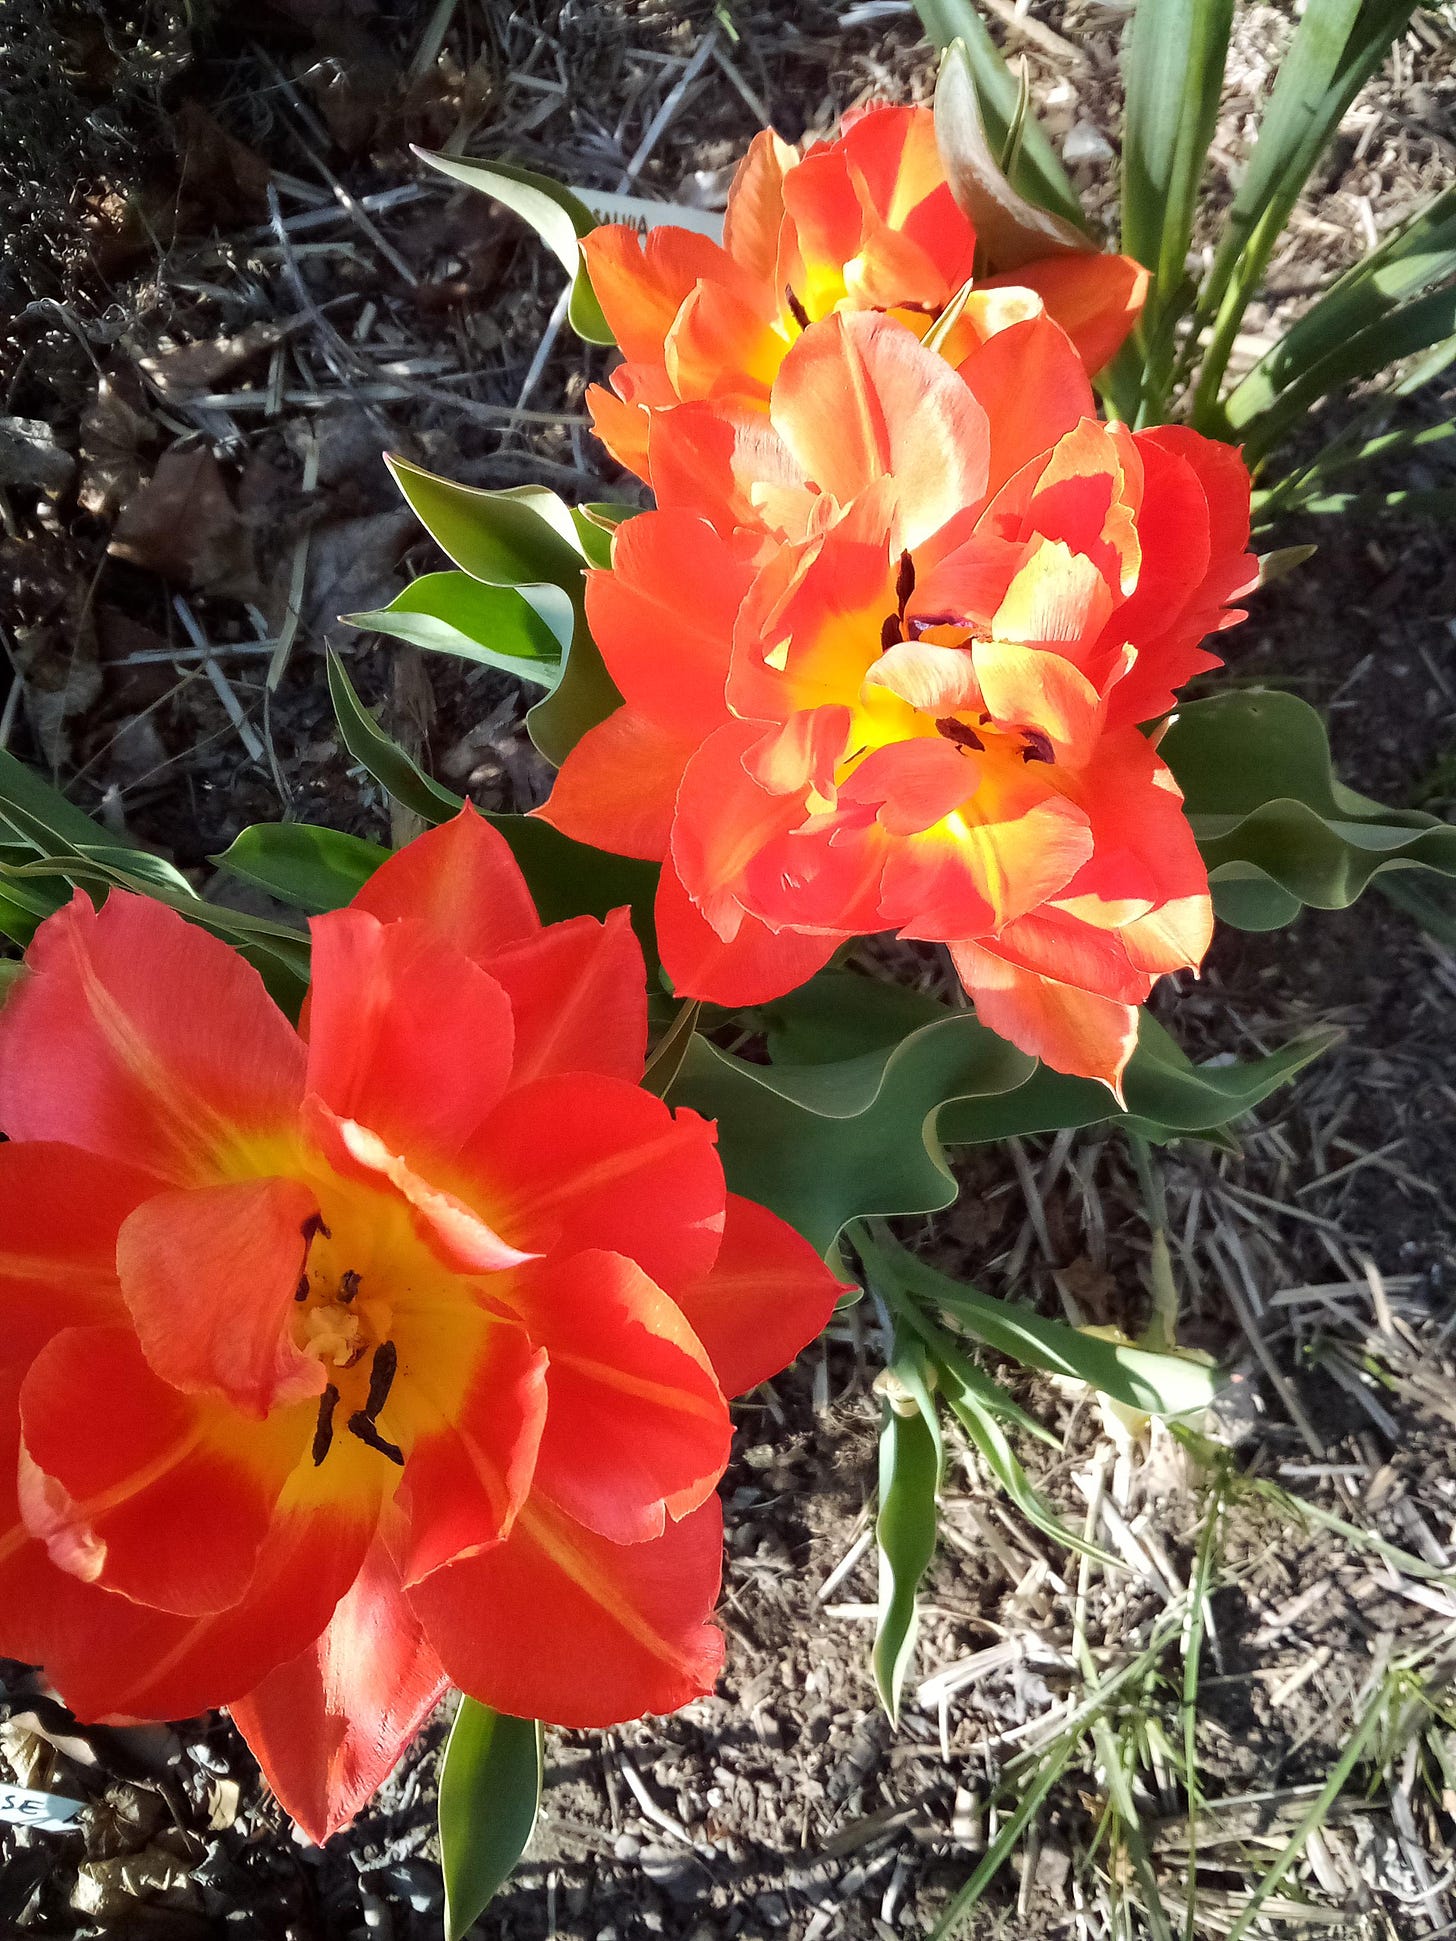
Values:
[(566, 878)]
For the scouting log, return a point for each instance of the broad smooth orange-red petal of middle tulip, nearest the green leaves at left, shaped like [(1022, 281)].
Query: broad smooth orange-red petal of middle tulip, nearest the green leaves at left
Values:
[(665, 616)]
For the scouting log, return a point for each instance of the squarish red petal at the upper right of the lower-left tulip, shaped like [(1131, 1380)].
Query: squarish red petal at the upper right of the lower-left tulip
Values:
[(578, 999)]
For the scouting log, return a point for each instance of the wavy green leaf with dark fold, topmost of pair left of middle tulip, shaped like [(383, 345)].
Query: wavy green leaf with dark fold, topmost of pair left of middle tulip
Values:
[(523, 539)]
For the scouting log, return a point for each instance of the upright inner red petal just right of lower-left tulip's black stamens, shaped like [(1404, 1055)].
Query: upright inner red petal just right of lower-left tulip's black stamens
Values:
[(471, 1468)]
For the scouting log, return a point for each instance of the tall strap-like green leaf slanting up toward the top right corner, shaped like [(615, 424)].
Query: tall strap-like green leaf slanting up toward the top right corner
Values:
[(1335, 49)]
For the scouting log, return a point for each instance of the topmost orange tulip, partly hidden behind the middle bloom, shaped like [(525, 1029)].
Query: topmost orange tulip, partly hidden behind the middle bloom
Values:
[(867, 222)]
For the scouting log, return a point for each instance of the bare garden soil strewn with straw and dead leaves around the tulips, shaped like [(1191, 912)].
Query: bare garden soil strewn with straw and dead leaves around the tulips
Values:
[(226, 290)]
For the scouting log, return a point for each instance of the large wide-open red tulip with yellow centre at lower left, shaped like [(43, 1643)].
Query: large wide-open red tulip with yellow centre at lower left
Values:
[(393, 1350)]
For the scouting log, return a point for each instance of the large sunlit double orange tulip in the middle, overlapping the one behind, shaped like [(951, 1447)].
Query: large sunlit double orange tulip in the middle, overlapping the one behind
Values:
[(884, 655)]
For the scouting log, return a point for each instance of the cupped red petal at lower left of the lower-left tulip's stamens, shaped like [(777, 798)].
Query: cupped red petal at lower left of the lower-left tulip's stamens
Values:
[(141, 1490)]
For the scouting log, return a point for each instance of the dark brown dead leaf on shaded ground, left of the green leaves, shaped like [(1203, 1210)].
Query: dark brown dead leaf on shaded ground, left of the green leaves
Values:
[(185, 527)]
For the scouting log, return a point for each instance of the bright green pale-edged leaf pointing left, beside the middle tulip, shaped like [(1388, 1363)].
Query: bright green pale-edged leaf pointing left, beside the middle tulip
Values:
[(521, 630)]
